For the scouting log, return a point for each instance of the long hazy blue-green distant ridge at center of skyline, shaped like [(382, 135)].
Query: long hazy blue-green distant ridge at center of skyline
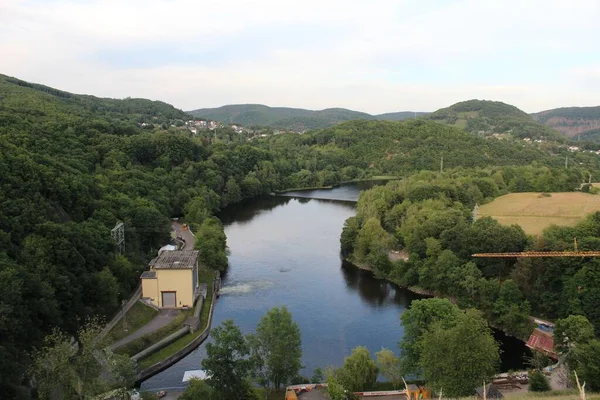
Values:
[(297, 119)]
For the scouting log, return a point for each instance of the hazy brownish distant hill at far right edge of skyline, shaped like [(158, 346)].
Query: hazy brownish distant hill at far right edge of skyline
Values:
[(577, 122)]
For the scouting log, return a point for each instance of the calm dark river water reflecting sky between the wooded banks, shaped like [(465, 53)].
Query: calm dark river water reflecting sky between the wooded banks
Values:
[(284, 250)]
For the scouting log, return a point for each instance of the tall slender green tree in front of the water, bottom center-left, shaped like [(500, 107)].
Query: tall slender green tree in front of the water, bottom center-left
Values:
[(276, 348)]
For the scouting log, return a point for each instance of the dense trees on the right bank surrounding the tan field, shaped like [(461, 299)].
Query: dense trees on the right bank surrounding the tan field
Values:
[(430, 217)]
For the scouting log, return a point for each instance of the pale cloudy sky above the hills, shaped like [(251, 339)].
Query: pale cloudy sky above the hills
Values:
[(374, 56)]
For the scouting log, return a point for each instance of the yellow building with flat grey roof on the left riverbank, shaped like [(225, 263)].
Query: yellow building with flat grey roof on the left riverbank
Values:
[(172, 279)]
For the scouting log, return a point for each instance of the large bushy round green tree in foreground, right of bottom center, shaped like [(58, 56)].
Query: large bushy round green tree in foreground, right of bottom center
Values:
[(457, 359)]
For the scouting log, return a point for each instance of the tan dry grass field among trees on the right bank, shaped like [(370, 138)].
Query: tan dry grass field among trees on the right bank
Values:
[(534, 212)]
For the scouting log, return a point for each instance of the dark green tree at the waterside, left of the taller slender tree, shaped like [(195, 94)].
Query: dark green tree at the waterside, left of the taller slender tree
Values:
[(227, 361)]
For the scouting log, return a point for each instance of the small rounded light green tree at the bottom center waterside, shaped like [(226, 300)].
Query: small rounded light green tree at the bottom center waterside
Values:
[(359, 371)]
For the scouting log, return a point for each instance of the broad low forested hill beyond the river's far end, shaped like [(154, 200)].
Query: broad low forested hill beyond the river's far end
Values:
[(385, 147)]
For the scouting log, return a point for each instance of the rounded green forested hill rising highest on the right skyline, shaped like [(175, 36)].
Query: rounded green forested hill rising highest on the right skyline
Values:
[(493, 117)]
